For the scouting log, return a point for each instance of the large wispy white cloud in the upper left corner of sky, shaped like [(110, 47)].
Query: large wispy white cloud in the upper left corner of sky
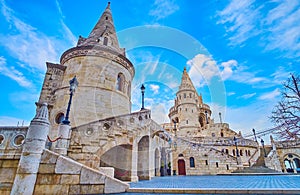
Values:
[(29, 45)]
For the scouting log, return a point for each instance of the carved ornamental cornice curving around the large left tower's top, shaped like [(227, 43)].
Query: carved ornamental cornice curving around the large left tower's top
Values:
[(99, 51)]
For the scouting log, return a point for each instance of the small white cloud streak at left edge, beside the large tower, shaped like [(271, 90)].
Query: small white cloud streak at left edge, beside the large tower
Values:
[(14, 74)]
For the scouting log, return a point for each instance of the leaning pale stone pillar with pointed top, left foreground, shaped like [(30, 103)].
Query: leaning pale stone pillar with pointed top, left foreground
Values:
[(31, 154)]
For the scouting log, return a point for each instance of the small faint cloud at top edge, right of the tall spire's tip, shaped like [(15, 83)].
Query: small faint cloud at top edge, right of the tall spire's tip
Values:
[(163, 8)]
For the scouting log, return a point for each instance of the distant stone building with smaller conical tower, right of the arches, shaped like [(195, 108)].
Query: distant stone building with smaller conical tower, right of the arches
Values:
[(201, 146)]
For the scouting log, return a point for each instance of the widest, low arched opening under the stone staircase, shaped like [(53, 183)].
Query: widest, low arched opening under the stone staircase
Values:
[(118, 157)]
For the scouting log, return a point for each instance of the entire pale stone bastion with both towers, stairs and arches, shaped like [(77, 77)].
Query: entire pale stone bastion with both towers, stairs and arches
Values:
[(98, 145)]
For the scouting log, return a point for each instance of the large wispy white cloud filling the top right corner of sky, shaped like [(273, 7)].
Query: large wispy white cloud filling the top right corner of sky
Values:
[(278, 30)]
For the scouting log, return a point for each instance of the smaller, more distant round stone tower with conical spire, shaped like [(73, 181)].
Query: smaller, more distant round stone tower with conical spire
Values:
[(189, 113)]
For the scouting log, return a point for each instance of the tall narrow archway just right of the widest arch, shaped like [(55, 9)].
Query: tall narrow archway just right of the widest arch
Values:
[(143, 158)]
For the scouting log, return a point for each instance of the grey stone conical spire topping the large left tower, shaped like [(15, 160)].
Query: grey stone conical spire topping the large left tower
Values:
[(103, 33)]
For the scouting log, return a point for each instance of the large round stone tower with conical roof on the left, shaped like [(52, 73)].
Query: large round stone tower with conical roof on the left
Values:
[(103, 72)]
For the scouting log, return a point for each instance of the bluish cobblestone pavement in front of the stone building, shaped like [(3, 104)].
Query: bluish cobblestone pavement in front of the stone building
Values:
[(230, 181)]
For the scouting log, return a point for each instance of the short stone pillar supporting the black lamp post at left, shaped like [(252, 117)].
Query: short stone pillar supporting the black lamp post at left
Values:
[(62, 145)]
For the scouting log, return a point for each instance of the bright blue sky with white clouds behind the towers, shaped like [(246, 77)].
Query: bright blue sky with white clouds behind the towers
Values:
[(237, 52)]
